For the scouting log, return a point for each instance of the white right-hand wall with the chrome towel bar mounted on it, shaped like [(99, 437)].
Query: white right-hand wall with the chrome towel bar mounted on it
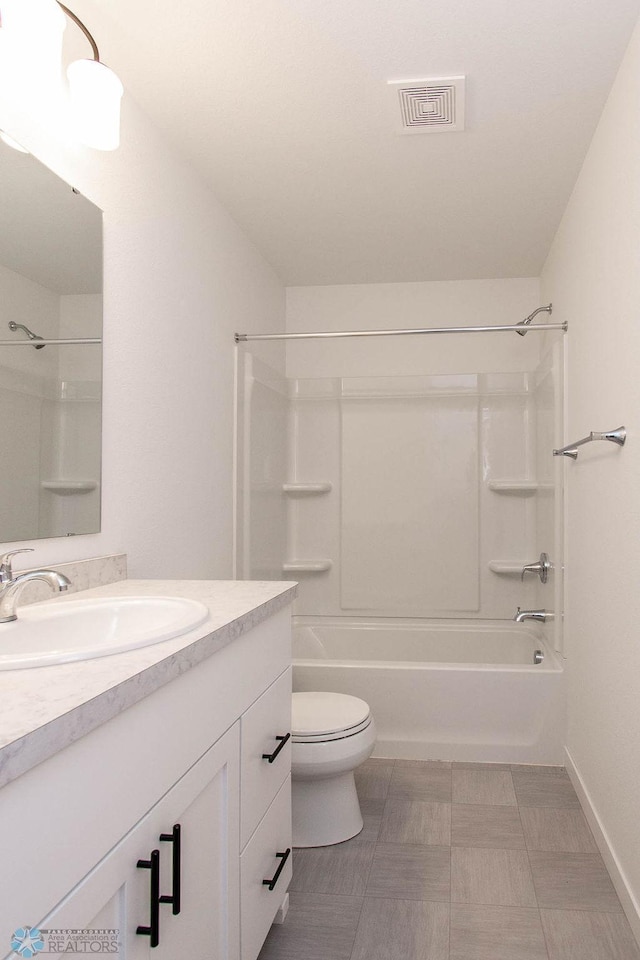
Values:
[(593, 278)]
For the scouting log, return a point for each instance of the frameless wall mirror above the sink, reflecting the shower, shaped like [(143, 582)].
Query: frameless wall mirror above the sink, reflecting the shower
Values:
[(50, 395)]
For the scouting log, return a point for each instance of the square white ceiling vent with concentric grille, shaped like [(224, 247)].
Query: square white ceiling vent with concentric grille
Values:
[(429, 106)]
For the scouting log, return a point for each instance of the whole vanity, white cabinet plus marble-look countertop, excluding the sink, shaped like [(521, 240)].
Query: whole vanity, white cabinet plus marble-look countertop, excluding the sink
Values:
[(149, 792)]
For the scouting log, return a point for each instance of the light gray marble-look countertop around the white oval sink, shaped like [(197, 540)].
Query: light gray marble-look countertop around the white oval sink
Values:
[(44, 709)]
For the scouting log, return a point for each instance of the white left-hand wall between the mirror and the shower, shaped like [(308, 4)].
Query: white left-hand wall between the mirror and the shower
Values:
[(179, 278)]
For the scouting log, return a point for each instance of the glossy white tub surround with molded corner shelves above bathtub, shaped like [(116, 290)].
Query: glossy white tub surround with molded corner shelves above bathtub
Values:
[(403, 496)]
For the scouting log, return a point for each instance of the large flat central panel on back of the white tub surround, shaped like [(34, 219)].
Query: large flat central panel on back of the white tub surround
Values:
[(410, 519)]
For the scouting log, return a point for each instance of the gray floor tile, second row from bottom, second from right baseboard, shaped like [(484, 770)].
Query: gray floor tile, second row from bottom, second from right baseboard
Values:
[(498, 877)]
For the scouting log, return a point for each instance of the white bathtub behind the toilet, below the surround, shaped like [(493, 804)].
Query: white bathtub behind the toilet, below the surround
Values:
[(441, 689)]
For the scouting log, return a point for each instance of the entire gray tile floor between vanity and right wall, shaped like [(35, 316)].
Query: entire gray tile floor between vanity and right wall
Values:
[(456, 862)]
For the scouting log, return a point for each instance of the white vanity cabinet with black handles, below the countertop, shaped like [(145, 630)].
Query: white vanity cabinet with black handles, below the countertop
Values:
[(84, 834)]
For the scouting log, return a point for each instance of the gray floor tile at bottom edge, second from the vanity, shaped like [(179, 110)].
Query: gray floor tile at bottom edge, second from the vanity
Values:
[(402, 930)]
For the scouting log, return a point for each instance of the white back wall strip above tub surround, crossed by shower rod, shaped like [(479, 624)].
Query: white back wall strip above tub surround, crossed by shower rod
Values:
[(397, 305)]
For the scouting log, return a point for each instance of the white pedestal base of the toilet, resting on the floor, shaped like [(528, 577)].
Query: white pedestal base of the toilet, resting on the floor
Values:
[(325, 811)]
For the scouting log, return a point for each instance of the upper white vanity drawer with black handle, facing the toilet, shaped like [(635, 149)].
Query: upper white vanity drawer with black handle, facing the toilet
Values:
[(263, 729)]
